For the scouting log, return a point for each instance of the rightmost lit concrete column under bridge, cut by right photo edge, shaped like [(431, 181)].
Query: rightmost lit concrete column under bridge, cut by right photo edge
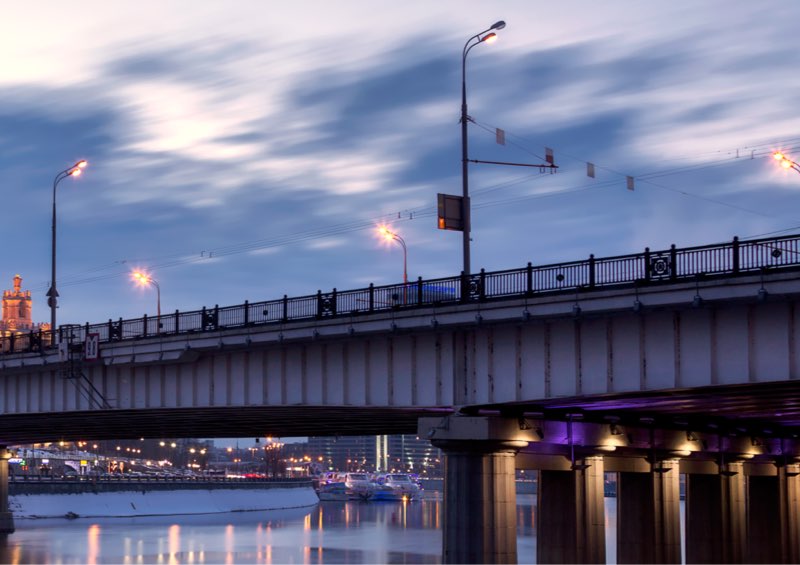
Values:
[(773, 521)]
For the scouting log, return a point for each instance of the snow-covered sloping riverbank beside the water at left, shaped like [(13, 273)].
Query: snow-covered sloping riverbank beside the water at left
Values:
[(85, 500)]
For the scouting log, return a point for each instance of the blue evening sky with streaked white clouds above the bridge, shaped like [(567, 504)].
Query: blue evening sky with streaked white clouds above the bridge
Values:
[(245, 150)]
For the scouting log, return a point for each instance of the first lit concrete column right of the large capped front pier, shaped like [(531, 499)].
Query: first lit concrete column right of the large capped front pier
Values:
[(571, 521)]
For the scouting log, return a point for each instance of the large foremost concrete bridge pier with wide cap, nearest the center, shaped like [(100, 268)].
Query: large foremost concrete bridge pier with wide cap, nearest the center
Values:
[(480, 506)]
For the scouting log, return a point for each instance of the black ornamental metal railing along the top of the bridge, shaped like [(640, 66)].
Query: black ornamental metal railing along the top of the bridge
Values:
[(650, 267)]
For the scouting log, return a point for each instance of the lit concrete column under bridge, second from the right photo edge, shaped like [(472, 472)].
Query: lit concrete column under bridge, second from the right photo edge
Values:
[(716, 517)]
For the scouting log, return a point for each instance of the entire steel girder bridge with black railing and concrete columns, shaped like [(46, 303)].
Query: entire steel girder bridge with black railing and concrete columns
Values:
[(650, 365)]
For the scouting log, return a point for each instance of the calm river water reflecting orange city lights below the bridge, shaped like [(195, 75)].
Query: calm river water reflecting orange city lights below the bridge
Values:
[(330, 532)]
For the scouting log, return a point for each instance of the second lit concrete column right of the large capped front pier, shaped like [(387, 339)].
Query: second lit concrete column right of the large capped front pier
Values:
[(648, 515)]
